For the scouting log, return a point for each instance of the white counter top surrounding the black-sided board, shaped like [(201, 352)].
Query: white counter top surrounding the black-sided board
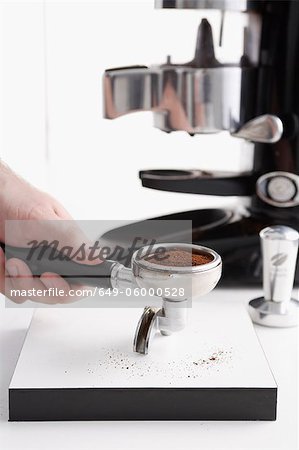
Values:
[(280, 346)]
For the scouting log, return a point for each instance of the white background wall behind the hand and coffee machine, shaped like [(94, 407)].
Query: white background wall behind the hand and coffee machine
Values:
[(54, 56)]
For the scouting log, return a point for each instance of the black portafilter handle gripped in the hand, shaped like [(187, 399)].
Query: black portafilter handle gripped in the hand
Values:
[(43, 259)]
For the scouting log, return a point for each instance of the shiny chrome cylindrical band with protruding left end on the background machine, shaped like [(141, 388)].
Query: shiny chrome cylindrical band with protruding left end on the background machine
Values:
[(182, 98)]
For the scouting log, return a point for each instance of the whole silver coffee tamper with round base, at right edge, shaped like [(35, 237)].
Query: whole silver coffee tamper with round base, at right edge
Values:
[(279, 246)]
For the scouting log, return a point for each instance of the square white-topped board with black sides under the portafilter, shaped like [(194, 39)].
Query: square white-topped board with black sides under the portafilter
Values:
[(78, 364)]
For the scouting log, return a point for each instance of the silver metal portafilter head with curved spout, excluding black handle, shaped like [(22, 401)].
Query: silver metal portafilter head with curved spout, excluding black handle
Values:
[(166, 281)]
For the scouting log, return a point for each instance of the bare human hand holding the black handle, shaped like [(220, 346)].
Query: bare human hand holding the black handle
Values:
[(22, 203)]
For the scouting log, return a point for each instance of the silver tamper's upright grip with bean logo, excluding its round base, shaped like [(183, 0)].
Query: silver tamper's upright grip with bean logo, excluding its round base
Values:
[(279, 248)]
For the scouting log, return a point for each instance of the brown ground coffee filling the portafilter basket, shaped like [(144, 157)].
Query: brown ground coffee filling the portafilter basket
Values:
[(180, 258)]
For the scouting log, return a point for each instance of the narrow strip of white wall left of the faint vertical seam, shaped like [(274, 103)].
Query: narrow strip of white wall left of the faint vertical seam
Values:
[(23, 89)]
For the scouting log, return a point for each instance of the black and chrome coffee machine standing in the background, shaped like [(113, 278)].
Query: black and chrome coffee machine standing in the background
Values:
[(253, 95)]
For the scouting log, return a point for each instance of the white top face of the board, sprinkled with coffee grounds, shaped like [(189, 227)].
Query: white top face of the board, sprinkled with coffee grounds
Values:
[(81, 349)]
